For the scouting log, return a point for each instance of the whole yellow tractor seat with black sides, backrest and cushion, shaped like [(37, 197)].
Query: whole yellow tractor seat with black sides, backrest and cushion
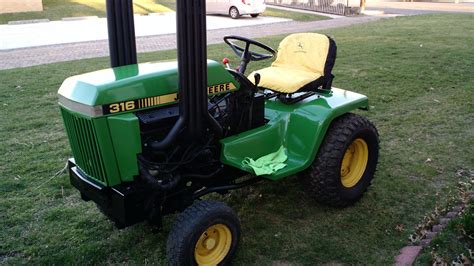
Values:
[(304, 63)]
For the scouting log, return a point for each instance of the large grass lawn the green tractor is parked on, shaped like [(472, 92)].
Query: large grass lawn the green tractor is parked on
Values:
[(418, 74)]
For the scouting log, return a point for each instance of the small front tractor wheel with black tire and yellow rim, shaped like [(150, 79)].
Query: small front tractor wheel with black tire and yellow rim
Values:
[(206, 233)]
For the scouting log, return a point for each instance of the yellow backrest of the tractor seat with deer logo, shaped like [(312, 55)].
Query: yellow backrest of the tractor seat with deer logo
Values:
[(310, 52)]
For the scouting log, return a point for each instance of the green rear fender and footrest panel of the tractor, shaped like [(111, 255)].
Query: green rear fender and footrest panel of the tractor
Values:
[(299, 127)]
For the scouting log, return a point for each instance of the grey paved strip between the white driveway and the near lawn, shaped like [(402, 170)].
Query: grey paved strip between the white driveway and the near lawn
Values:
[(73, 51)]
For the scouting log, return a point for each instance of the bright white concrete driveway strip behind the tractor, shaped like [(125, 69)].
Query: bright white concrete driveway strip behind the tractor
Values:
[(60, 32)]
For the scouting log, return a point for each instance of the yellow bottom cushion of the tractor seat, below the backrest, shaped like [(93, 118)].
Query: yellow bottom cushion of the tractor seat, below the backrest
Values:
[(284, 79)]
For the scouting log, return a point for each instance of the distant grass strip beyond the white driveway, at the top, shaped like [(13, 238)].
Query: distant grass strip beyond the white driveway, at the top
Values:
[(57, 9)]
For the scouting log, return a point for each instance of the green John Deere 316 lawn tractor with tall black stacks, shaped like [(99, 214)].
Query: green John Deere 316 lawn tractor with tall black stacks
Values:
[(154, 138)]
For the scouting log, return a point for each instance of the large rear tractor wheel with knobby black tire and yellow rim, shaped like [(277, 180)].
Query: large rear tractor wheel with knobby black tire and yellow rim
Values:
[(346, 162)]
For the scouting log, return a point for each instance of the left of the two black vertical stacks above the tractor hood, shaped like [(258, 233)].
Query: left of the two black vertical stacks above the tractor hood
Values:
[(121, 31)]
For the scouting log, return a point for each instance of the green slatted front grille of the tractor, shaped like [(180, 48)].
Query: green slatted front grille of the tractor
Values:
[(85, 148)]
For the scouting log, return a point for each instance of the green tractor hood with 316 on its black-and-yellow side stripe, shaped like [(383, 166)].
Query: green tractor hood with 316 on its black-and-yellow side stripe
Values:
[(133, 87)]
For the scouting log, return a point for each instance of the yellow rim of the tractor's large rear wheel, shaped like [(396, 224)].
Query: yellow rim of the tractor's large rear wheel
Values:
[(354, 163)]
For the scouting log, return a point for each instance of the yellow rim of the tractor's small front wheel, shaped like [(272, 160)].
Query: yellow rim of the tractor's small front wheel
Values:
[(213, 245)]
